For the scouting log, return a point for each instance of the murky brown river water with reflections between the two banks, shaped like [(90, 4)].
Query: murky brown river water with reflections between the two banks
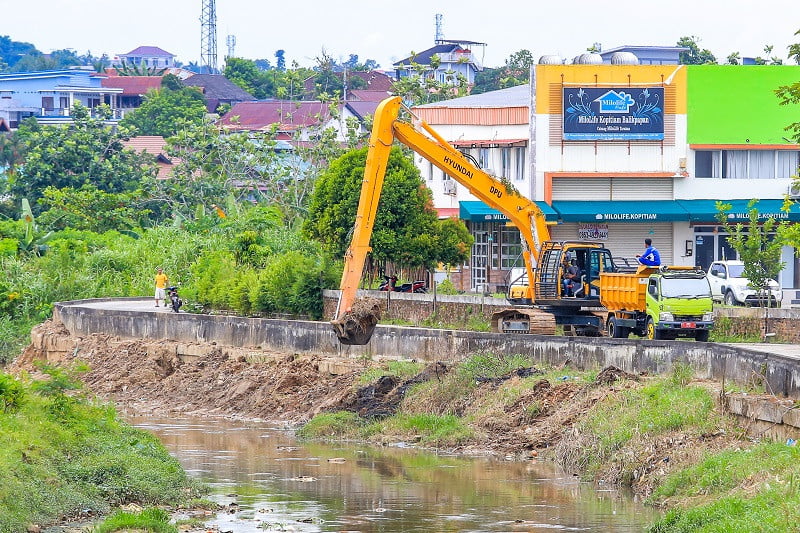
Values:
[(282, 485)]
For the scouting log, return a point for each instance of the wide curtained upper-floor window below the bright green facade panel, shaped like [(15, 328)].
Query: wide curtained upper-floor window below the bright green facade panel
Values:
[(741, 164)]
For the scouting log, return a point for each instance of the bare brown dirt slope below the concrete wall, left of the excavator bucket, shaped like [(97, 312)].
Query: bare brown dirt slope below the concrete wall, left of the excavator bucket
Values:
[(148, 376)]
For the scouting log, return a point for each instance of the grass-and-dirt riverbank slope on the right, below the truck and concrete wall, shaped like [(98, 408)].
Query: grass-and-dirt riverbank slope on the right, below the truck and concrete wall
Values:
[(665, 437)]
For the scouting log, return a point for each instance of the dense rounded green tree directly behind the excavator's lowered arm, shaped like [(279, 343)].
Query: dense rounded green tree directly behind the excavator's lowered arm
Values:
[(406, 230)]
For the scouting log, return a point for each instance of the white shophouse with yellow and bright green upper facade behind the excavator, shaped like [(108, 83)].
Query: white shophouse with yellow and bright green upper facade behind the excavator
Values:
[(620, 153)]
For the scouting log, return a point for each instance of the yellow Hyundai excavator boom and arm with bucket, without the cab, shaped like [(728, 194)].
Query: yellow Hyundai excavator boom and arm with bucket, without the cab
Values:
[(354, 326)]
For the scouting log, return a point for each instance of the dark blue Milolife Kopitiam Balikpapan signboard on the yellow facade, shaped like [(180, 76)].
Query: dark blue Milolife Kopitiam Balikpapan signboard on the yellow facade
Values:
[(613, 113)]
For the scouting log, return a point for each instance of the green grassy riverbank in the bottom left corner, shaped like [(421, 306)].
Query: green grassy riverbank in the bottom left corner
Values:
[(65, 456)]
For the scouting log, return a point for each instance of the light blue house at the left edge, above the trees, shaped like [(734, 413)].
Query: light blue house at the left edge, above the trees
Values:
[(50, 95)]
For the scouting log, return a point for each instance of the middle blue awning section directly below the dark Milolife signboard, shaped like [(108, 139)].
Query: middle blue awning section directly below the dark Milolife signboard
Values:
[(620, 211)]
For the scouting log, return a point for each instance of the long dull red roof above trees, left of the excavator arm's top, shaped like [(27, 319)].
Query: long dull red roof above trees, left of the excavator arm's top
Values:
[(262, 115)]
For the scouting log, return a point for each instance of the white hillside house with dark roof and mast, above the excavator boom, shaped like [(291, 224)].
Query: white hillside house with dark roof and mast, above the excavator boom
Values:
[(454, 57)]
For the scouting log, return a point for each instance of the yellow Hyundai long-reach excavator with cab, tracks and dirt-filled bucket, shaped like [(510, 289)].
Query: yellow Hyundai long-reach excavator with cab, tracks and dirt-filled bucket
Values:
[(540, 299)]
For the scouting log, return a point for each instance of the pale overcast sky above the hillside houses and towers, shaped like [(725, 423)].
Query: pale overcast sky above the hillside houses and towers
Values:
[(387, 31)]
